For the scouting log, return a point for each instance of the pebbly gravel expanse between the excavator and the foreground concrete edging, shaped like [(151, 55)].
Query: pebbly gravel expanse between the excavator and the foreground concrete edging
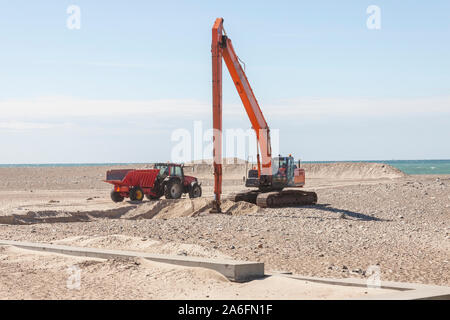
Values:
[(402, 227)]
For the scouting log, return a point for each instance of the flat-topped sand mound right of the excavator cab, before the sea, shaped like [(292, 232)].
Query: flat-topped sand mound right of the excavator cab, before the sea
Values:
[(351, 170)]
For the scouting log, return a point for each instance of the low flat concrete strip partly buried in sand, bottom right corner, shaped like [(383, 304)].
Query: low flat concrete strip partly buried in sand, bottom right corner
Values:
[(402, 290)]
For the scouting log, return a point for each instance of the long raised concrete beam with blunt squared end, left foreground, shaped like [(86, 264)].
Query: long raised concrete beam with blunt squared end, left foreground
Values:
[(234, 270)]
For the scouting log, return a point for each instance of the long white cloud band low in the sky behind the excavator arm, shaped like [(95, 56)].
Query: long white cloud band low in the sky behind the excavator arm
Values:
[(170, 109)]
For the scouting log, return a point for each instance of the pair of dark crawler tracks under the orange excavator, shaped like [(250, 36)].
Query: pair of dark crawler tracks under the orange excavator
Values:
[(275, 199)]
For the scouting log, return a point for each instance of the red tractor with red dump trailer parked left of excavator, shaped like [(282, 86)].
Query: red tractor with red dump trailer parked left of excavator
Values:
[(166, 179)]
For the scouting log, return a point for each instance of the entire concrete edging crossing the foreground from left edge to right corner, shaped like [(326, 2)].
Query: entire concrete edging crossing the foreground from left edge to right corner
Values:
[(241, 271)]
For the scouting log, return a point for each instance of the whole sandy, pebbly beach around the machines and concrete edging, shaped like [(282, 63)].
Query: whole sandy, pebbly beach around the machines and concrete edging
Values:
[(367, 215)]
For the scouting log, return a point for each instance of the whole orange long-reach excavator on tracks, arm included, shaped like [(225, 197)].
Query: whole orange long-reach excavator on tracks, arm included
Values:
[(271, 175)]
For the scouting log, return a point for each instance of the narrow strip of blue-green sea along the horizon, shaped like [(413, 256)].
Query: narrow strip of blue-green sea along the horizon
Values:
[(407, 166)]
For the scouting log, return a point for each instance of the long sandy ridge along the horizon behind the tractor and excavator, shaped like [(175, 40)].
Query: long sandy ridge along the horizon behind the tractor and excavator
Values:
[(76, 178)]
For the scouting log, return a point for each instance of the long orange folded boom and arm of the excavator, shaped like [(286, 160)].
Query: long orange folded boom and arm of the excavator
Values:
[(222, 47)]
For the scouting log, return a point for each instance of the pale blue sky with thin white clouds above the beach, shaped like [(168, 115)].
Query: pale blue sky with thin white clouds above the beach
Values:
[(119, 87)]
